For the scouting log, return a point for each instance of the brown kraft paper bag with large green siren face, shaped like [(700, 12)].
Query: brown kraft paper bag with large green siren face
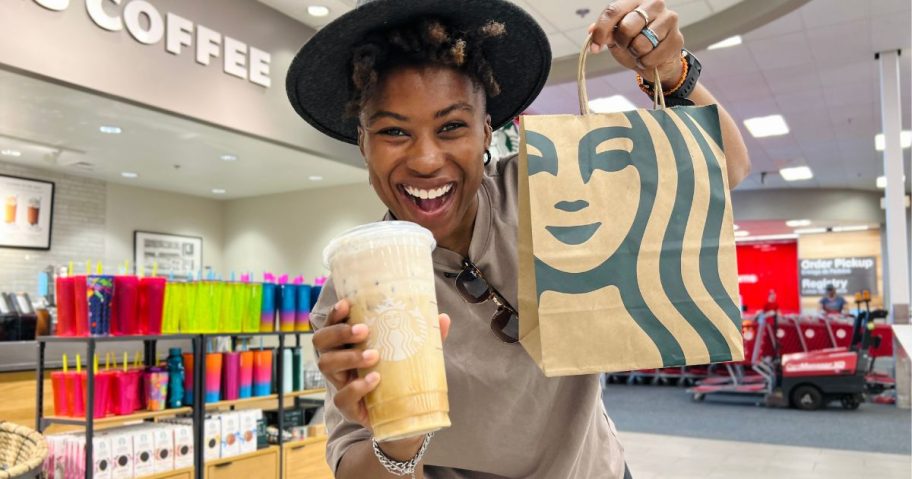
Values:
[(626, 242)]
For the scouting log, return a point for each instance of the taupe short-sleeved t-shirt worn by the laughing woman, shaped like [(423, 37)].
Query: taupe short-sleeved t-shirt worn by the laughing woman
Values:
[(508, 419)]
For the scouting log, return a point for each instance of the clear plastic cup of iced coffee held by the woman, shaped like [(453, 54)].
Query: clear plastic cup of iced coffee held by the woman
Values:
[(386, 273)]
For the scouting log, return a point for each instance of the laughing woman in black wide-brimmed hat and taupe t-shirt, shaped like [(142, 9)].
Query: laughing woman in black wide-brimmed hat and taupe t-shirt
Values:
[(419, 87)]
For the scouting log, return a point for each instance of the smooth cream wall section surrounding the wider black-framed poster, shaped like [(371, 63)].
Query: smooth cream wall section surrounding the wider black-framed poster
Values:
[(130, 209)]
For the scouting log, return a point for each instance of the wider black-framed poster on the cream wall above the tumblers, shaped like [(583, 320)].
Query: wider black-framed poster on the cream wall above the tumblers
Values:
[(171, 255)]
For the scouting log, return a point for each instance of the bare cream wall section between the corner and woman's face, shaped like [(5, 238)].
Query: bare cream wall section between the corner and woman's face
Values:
[(286, 233)]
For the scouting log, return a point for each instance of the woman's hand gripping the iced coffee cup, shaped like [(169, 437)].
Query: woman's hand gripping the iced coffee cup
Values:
[(339, 361)]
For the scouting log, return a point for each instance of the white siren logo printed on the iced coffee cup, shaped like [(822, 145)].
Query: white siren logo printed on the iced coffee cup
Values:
[(399, 332)]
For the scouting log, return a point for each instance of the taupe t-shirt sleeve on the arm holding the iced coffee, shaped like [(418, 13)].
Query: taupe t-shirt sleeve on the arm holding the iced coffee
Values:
[(343, 433)]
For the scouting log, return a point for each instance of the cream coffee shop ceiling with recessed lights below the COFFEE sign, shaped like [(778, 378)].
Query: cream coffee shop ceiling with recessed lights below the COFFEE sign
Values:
[(58, 128)]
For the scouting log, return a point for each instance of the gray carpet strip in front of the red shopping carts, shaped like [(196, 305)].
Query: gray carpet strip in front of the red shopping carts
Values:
[(670, 410)]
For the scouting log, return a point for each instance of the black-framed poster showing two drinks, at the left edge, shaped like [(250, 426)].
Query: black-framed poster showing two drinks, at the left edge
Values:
[(28, 211)]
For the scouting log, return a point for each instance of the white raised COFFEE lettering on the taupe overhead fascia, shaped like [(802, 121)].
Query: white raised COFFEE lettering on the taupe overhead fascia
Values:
[(147, 25)]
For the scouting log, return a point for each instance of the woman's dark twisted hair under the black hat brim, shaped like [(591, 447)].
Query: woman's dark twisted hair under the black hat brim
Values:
[(426, 42)]
